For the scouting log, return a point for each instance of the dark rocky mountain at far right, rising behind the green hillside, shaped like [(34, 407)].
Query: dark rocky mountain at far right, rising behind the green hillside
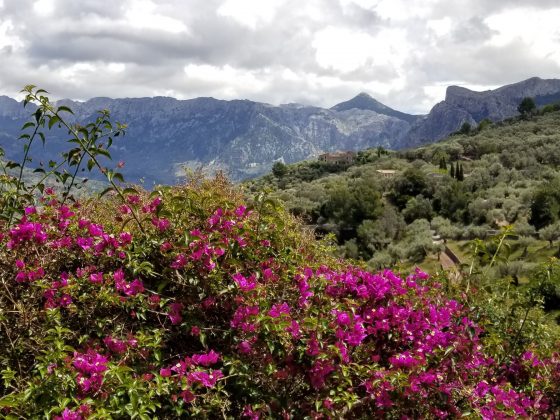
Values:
[(463, 105)]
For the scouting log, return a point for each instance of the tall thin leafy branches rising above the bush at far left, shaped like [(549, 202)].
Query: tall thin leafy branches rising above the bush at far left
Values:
[(89, 143)]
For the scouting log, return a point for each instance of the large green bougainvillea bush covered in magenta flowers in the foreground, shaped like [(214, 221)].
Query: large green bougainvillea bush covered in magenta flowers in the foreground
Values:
[(213, 307)]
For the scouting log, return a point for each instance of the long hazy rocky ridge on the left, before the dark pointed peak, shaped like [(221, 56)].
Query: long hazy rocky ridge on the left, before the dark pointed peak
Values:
[(241, 137)]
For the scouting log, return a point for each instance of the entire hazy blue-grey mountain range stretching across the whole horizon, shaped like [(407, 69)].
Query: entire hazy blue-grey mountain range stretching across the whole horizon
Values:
[(244, 138)]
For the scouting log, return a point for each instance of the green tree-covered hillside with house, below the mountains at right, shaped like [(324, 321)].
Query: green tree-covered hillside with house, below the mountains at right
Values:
[(510, 173)]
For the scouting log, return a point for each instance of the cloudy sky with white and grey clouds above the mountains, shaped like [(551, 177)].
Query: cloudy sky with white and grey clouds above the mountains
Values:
[(404, 53)]
